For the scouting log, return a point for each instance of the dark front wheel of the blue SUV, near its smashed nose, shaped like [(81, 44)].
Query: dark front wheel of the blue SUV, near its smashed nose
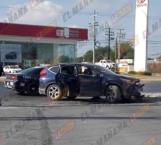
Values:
[(113, 93)]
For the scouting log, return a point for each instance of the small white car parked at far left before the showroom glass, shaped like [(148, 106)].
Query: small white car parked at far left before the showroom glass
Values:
[(11, 69)]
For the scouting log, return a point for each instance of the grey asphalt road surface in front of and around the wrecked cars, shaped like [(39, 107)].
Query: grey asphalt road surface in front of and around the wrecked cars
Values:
[(27, 120)]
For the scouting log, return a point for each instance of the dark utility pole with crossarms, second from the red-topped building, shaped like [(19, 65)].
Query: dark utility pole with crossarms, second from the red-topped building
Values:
[(110, 35)]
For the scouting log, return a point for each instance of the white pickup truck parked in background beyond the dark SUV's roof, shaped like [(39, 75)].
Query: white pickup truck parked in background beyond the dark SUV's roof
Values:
[(109, 64)]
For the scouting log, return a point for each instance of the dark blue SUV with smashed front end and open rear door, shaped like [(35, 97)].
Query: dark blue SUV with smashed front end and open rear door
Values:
[(72, 80)]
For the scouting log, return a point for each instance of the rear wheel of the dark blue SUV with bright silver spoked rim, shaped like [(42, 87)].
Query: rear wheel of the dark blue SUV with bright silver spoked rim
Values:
[(54, 92)]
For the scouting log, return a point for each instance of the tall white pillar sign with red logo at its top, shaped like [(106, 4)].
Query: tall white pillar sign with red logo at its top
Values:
[(141, 27)]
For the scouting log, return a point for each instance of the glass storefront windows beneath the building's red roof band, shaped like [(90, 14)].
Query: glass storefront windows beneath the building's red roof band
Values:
[(32, 54)]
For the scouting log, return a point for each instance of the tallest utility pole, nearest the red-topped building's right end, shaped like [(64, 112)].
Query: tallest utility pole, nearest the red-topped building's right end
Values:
[(94, 26)]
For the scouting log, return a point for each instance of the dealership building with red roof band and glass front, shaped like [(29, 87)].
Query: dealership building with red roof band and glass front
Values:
[(30, 45)]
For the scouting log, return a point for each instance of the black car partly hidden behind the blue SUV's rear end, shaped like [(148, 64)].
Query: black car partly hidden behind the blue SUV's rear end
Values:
[(28, 81)]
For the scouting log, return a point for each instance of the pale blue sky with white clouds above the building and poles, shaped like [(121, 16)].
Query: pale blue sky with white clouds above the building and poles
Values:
[(50, 12)]
